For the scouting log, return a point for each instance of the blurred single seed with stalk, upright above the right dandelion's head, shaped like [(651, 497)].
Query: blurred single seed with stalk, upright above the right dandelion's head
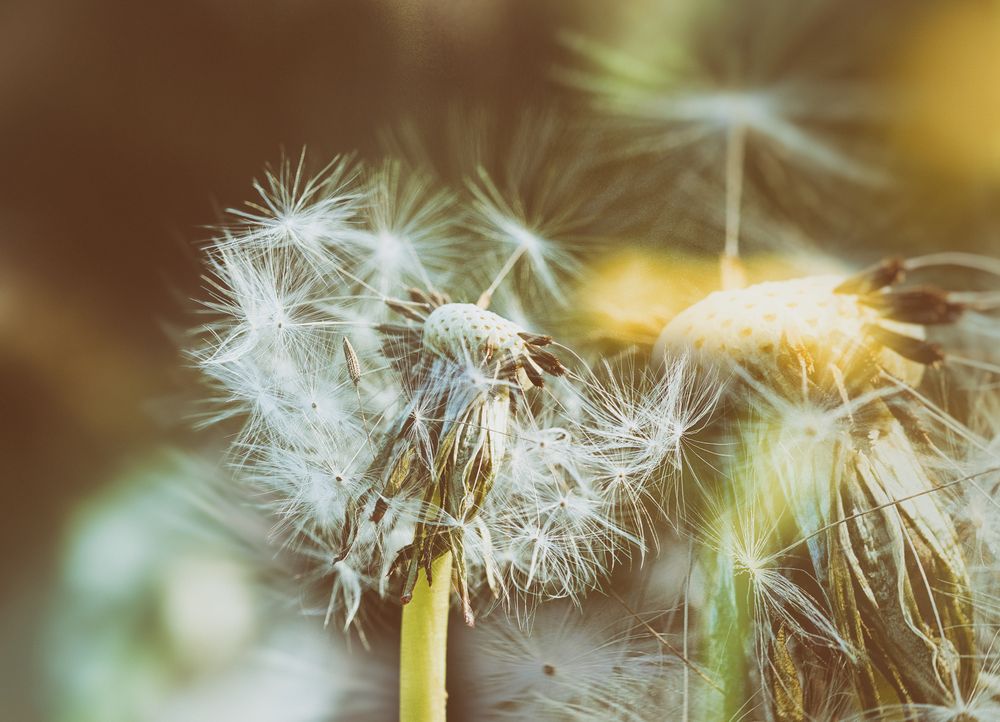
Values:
[(763, 130)]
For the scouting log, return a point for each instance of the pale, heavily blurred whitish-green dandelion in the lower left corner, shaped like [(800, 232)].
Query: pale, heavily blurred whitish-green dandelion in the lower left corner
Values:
[(170, 609)]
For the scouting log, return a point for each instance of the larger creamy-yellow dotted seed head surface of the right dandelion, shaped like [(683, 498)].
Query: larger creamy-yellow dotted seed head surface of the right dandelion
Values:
[(754, 325)]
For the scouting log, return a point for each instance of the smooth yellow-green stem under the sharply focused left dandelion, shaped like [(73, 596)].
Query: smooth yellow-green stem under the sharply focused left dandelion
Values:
[(424, 646)]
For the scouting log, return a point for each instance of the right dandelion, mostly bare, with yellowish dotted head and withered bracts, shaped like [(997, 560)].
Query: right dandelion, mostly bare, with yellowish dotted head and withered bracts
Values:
[(833, 510)]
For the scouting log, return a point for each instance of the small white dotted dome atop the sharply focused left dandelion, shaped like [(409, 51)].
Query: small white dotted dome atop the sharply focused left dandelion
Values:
[(456, 330)]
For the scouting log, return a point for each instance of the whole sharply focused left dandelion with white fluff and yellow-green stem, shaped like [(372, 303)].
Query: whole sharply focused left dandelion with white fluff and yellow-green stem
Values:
[(400, 439)]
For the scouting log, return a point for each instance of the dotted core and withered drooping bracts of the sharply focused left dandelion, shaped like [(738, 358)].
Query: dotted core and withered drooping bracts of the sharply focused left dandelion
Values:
[(471, 368)]
